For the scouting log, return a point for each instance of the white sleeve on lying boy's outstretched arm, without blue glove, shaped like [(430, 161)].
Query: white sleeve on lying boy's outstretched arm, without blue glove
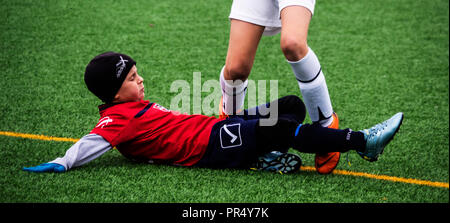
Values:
[(85, 150)]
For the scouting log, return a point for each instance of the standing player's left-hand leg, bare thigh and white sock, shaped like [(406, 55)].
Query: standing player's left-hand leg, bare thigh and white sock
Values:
[(243, 43)]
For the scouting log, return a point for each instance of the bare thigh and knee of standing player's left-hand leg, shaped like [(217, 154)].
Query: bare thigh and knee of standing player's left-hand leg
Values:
[(242, 47)]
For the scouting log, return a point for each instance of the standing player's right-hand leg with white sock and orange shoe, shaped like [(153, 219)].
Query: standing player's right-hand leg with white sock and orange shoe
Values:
[(308, 72)]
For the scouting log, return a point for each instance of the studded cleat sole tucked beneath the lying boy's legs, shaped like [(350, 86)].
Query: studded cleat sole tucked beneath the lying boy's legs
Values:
[(278, 162)]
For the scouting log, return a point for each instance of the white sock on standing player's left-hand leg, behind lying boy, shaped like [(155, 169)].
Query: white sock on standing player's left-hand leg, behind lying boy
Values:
[(233, 93)]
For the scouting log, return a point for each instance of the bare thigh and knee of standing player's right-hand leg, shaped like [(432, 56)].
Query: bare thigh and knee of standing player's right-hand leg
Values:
[(294, 31)]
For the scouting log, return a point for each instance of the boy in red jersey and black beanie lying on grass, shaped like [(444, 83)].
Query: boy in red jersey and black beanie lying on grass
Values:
[(145, 131)]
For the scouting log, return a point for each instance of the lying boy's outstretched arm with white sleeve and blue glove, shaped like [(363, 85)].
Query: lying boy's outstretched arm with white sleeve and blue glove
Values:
[(85, 150)]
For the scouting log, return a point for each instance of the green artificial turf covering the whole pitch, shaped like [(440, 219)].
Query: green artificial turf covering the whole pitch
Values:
[(378, 57)]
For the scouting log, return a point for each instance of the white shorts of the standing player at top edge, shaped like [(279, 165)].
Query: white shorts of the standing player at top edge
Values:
[(265, 12)]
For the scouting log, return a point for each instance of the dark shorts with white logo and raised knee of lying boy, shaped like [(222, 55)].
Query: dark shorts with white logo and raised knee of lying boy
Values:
[(238, 141)]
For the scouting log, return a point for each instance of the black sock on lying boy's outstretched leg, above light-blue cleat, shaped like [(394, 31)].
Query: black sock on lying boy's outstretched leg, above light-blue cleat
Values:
[(318, 139)]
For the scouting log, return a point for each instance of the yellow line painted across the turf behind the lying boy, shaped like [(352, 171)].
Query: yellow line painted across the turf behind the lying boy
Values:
[(304, 168)]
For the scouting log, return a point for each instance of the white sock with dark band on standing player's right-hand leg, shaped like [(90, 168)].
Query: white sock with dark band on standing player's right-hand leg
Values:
[(313, 88)]
